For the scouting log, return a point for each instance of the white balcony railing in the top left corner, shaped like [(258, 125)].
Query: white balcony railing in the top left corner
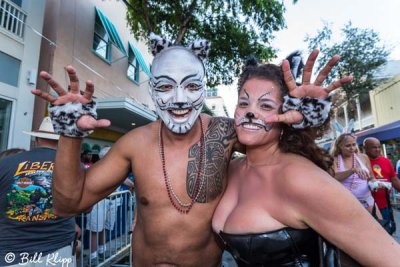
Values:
[(12, 18)]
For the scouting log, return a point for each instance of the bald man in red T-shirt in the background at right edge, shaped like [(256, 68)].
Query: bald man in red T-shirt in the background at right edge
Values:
[(383, 170)]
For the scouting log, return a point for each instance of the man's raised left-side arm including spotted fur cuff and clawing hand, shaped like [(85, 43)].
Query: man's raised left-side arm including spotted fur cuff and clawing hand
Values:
[(75, 189)]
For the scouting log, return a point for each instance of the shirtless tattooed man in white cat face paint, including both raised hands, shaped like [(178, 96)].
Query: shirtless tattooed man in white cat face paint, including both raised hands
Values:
[(179, 161)]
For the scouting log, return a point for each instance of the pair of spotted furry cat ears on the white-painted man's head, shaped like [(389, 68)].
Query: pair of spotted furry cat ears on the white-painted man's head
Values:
[(200, 47)]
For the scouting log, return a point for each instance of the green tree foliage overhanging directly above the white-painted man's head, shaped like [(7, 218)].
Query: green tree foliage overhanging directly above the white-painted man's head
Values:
[(236, 28)]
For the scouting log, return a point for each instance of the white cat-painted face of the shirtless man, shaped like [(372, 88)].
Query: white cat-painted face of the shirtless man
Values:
[(177, 88)]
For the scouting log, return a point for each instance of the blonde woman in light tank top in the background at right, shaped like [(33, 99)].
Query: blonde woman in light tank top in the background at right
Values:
[(353, 170)]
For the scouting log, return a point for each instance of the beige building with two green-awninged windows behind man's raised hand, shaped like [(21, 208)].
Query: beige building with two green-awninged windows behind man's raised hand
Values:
[(93, 37)]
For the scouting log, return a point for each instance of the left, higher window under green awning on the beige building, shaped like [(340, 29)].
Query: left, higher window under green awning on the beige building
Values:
[(101, 41)]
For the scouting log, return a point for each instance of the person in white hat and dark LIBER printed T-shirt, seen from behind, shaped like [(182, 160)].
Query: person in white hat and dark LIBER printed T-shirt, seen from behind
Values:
[(27, 222)]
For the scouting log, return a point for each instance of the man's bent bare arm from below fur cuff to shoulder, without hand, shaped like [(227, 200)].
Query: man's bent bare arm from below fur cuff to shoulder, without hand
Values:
[(76, 189)]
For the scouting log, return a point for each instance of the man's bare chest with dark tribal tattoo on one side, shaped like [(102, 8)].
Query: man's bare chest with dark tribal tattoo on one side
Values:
[(195, 172)]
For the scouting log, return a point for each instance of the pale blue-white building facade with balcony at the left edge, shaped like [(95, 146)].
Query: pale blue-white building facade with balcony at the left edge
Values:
[(21, 23)]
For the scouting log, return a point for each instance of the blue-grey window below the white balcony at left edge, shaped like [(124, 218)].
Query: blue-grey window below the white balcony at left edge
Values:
[(9, 67)]
